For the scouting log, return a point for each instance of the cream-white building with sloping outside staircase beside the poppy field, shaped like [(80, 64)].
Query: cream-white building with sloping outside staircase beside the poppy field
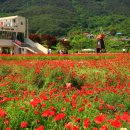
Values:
[(14, 37)]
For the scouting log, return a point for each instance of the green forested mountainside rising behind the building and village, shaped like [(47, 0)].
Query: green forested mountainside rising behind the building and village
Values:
[(58, 17)]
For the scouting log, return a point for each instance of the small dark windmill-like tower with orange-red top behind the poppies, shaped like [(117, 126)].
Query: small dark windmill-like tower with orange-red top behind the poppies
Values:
[(100, 46)]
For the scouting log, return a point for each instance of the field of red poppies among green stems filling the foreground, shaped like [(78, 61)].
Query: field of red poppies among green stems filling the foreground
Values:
[(65, 92)]
